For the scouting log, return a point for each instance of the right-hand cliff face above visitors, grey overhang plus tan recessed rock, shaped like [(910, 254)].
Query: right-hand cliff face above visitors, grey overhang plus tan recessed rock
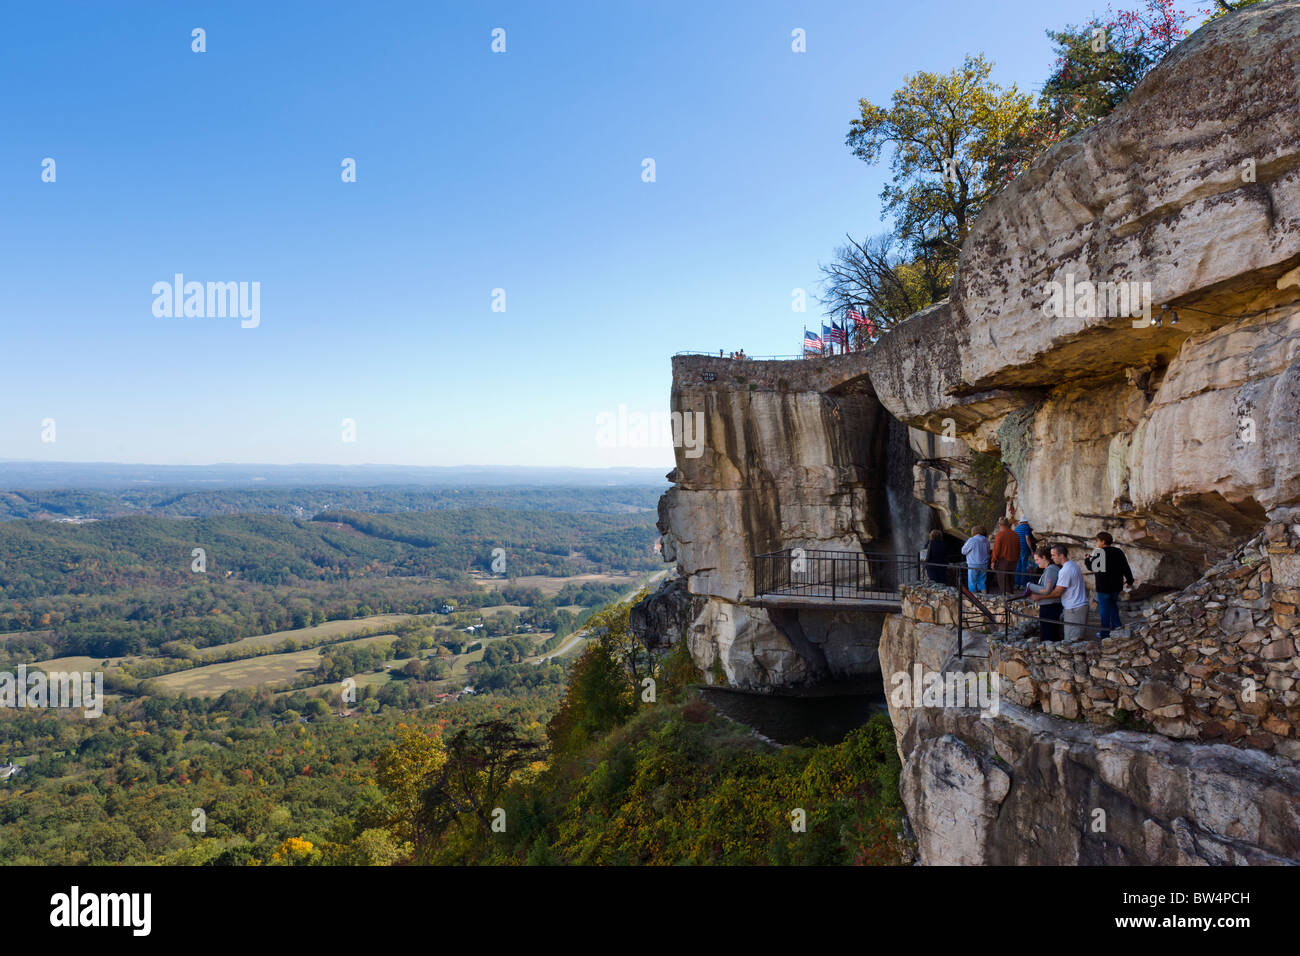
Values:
[(1181, 439)]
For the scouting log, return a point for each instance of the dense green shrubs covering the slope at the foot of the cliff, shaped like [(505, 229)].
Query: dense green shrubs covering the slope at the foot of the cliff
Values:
[(679, 785)]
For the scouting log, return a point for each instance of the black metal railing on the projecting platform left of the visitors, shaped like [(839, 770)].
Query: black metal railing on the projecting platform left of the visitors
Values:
[(834, 576)]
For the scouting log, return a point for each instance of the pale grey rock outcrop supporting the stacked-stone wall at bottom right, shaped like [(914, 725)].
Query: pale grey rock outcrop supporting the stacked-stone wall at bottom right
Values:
[(1013, 786)]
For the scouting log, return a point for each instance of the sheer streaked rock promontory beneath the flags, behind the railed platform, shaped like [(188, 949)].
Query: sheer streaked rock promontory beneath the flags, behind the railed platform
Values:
[(788, 458)]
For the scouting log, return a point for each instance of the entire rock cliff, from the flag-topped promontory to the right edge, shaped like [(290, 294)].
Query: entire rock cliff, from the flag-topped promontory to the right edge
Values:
[(1124, 341)]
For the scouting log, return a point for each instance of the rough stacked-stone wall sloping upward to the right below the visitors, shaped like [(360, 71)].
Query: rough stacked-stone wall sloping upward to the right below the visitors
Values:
[(1216, 661)]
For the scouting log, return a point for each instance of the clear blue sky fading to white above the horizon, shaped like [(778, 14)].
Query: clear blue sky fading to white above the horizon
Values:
[(475, 171)]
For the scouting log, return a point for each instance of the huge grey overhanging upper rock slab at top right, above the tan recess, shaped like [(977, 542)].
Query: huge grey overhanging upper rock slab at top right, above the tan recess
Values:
[(1160, 192)]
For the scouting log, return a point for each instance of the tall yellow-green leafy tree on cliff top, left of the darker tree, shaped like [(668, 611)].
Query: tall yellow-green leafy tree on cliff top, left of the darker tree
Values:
[(944, 129)]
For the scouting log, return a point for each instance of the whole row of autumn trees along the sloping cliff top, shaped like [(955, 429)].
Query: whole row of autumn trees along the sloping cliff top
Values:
[(954, 140)]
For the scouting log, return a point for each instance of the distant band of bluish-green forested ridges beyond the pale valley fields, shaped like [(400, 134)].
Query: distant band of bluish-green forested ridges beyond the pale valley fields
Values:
[(129, 586)]
